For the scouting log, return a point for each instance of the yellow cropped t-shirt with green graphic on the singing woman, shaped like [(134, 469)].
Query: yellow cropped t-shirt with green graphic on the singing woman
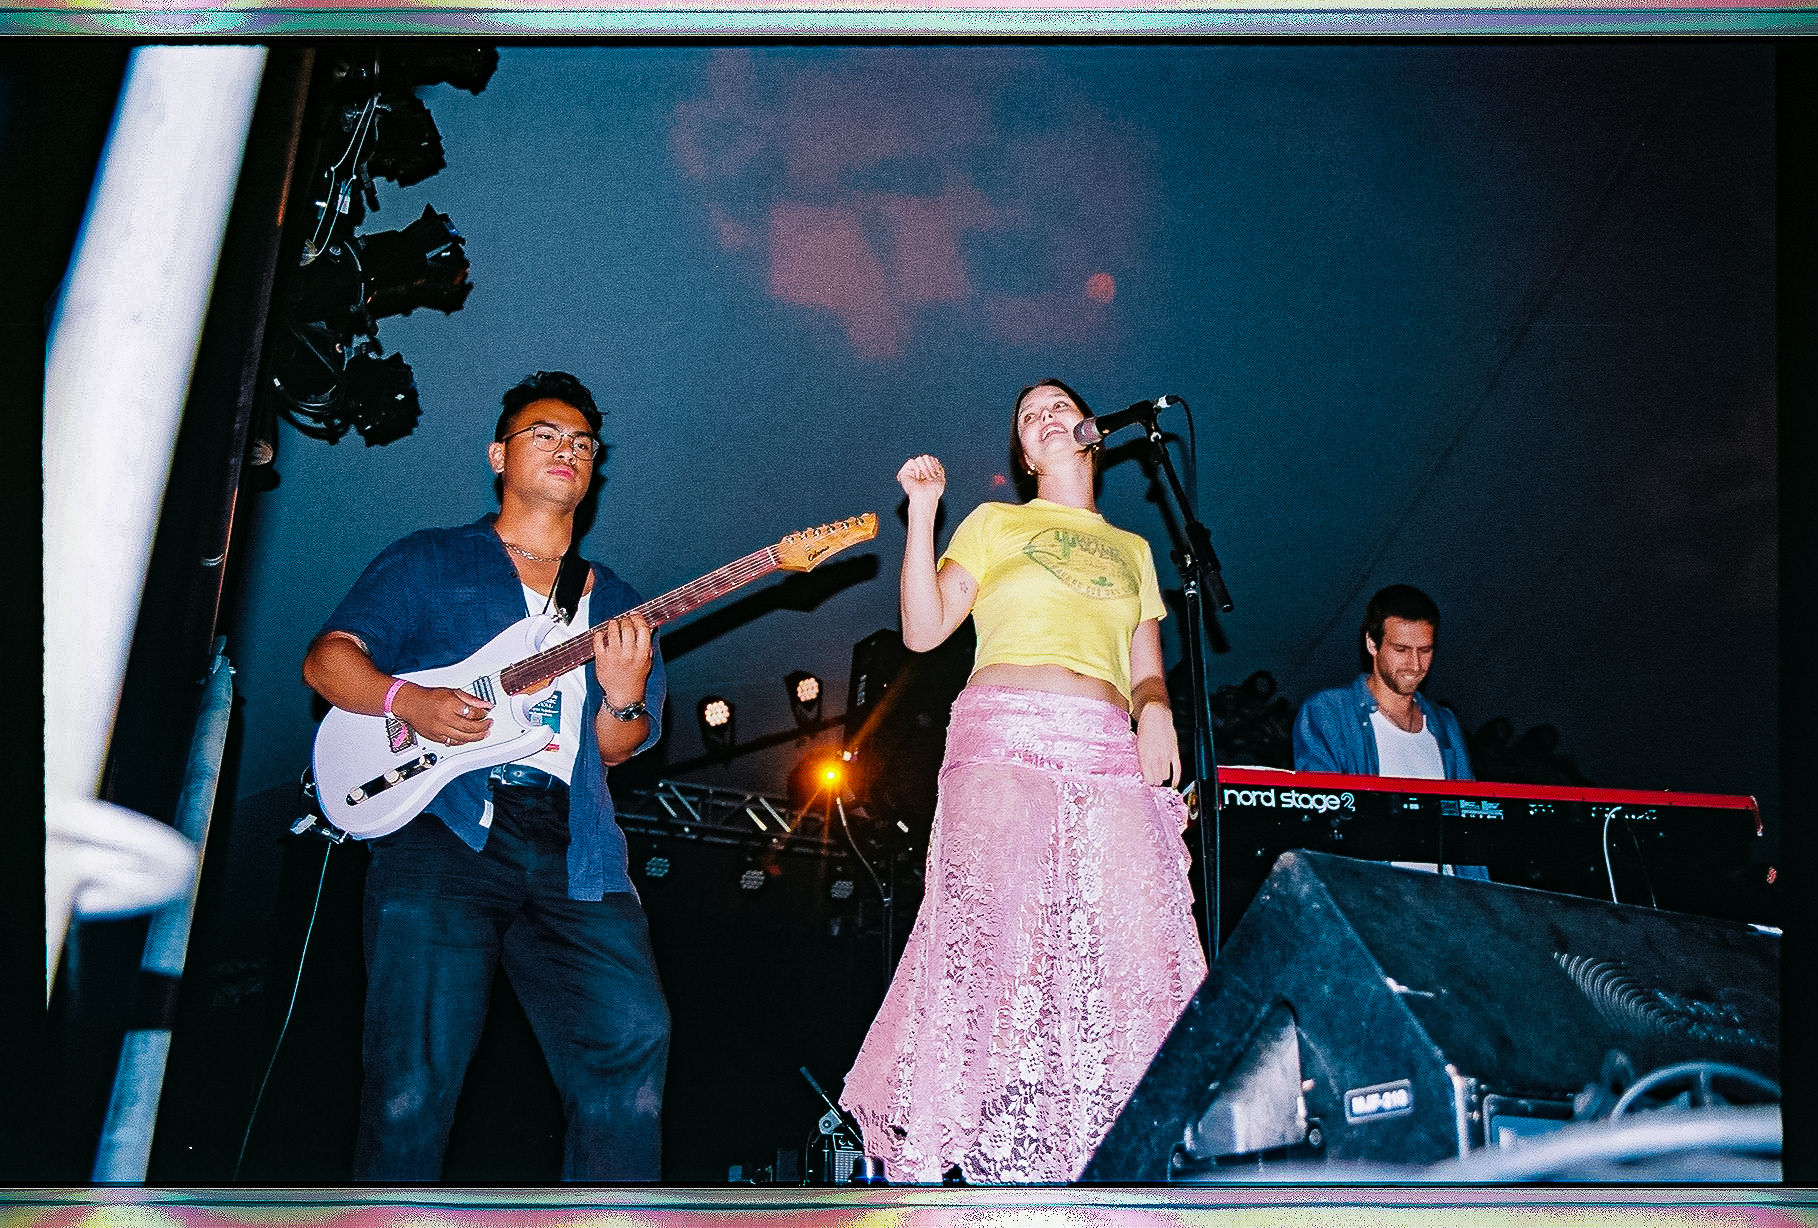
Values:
[(1057, 587)]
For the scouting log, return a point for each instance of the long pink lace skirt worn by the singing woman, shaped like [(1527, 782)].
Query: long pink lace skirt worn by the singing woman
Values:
[(1054, 951)]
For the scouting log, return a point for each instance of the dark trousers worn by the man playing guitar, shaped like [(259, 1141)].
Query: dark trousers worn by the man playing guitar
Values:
[(439, 921)]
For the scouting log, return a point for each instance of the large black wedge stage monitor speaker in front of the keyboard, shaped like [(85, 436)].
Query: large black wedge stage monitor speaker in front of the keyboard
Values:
[(1363, 1012)]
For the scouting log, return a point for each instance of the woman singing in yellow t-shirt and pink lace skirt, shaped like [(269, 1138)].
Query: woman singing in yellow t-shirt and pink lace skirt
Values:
[(1055, 945)]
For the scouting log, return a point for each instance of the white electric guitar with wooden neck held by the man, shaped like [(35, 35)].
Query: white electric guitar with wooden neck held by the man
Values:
[(375, 774)]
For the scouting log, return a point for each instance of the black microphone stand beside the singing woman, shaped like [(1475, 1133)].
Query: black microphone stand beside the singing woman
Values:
[(1199, 572)]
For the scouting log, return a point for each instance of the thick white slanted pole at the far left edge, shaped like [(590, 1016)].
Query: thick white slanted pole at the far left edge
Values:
[(117, 370)]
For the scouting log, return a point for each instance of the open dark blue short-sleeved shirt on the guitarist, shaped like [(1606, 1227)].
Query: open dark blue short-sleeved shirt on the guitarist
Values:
[(437, 598)]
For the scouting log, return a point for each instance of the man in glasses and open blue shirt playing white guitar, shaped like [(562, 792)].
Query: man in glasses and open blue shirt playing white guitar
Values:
[(521, 865)]
